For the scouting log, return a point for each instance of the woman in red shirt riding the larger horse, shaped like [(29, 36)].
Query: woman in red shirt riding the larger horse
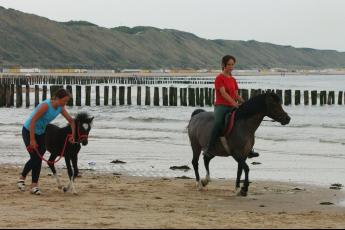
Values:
[(227, 99)]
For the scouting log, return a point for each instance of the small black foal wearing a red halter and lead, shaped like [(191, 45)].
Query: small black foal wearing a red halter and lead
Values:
[(57, 142)]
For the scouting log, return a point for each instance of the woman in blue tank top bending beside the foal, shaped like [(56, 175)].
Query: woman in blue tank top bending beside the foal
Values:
[(34, 131)]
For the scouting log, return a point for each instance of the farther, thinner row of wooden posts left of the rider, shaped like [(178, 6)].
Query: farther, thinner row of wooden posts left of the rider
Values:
[(90, 80)]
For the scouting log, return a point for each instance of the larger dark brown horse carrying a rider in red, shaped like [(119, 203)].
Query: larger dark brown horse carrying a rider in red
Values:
[(240, 140)]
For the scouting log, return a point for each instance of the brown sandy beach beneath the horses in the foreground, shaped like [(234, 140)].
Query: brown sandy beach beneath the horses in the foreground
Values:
[(117, 201)]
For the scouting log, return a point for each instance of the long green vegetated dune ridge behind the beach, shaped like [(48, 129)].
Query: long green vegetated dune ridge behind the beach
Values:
[(28, 40)]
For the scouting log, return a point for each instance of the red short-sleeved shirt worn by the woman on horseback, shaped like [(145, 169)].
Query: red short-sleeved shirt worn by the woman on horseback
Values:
[(230, 85)]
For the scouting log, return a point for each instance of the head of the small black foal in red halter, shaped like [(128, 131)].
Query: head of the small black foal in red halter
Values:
[(83, 126)]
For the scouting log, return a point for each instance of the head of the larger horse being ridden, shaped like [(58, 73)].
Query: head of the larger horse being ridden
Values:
[(275, 109)]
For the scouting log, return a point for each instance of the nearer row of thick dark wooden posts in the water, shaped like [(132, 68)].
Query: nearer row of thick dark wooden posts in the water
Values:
[(188, 96)]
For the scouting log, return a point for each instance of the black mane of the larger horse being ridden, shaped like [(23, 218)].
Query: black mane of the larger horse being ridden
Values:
[(254, 106)]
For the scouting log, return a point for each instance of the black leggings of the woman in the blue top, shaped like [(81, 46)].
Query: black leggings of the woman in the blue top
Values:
[(35, 162)]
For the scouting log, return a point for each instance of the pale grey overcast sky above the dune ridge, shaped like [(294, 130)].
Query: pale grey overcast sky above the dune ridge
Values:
[(301, 23)]
